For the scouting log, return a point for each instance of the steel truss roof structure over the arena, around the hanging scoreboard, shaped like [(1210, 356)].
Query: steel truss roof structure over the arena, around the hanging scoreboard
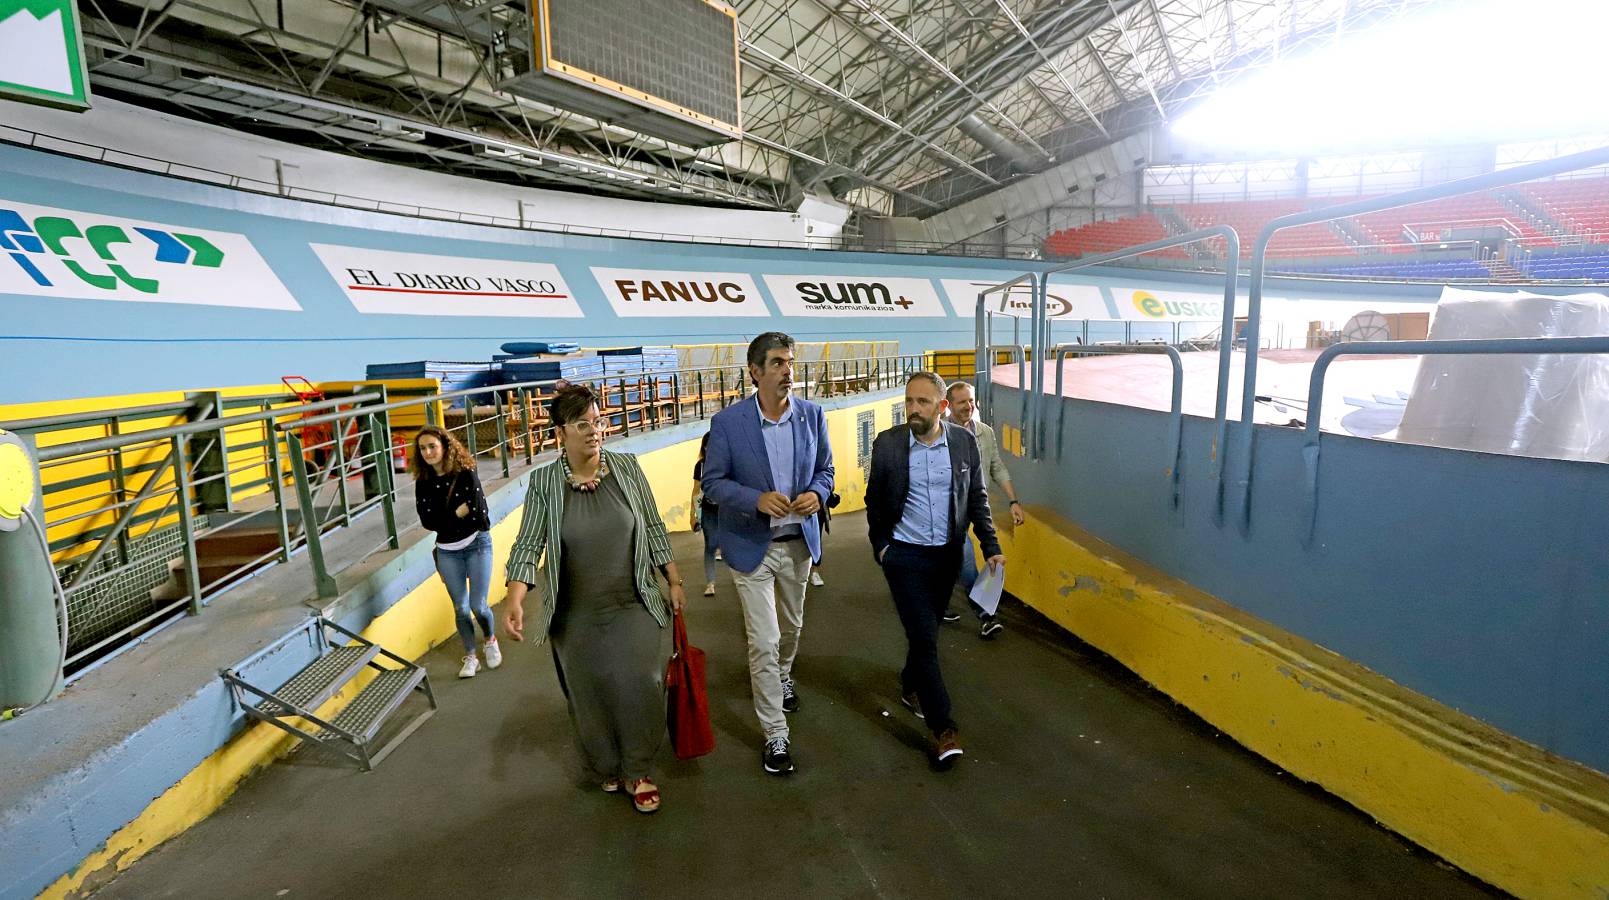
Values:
[(860, 99)]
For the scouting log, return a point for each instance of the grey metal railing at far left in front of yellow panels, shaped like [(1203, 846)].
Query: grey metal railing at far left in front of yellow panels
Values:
[(134, 502)]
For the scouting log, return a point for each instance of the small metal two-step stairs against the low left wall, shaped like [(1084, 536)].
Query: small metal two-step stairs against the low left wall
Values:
[(344, 658)]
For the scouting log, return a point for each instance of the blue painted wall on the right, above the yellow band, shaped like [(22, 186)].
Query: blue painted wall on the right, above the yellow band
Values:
[(1478, 580)]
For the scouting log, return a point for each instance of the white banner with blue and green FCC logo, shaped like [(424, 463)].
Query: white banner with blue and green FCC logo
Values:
[(75, 255)]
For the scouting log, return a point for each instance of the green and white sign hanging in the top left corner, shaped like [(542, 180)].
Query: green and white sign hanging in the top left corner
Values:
[(43, 54)]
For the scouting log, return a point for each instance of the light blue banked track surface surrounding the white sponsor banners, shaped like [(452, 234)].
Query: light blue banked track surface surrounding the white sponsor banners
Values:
[(68, 349)]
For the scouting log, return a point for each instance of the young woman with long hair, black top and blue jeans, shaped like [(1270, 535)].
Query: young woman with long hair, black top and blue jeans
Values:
[(450, 502)]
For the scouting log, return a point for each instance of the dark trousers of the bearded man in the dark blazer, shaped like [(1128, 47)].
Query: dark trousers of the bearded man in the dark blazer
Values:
[(921, 580)]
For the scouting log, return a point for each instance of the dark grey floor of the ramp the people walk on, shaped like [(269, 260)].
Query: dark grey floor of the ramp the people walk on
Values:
[(1079, 782)]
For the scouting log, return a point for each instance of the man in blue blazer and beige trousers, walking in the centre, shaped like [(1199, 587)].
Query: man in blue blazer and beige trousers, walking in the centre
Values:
[(768, 469)]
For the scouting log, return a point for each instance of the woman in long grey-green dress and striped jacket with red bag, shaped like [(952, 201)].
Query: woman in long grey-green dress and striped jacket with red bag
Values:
[(603, 605)]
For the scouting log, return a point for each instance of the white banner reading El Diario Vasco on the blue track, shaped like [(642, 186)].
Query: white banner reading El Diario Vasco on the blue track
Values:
[(418, 284)]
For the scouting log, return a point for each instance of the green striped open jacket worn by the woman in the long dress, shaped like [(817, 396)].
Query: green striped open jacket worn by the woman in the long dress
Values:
[(541, 531)]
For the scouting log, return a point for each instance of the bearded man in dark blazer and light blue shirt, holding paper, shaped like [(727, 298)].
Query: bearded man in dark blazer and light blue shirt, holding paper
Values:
[(926, 490)]
